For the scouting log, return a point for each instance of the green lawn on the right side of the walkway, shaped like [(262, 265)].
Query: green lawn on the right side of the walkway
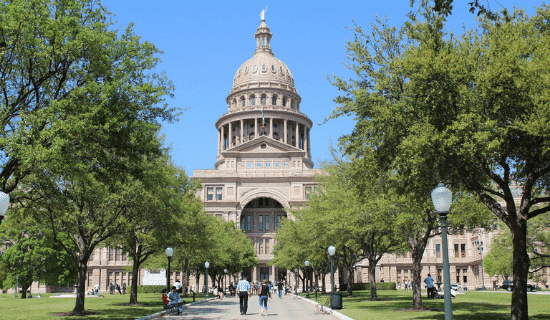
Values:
[(476, 305)]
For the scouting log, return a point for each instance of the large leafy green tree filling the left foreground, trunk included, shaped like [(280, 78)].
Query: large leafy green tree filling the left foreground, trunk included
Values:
[(82, 106)]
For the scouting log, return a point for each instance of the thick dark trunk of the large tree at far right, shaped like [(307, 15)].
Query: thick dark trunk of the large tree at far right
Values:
[(521, 271)]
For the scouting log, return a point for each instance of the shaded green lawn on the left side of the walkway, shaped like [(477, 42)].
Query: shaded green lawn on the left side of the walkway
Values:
[(111, 307)]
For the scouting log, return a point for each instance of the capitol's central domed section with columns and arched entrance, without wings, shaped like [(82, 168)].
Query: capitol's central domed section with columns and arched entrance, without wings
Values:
[(263, 163)]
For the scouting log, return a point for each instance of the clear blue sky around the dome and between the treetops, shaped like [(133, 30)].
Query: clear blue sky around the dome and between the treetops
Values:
[(205, 42)]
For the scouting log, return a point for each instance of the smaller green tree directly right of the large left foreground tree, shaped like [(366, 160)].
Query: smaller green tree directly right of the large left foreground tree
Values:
[(167, 198)]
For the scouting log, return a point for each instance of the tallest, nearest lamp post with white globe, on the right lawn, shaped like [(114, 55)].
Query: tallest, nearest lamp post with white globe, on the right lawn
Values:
[(441, 198)]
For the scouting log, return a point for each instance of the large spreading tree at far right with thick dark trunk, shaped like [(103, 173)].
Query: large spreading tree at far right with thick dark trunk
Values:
[(469, 110)]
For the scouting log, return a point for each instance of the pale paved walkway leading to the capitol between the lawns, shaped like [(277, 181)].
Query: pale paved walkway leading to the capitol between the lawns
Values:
[(286, 308)]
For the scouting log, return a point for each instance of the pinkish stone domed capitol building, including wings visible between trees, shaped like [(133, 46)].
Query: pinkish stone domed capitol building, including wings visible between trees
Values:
[(263, 166)]
